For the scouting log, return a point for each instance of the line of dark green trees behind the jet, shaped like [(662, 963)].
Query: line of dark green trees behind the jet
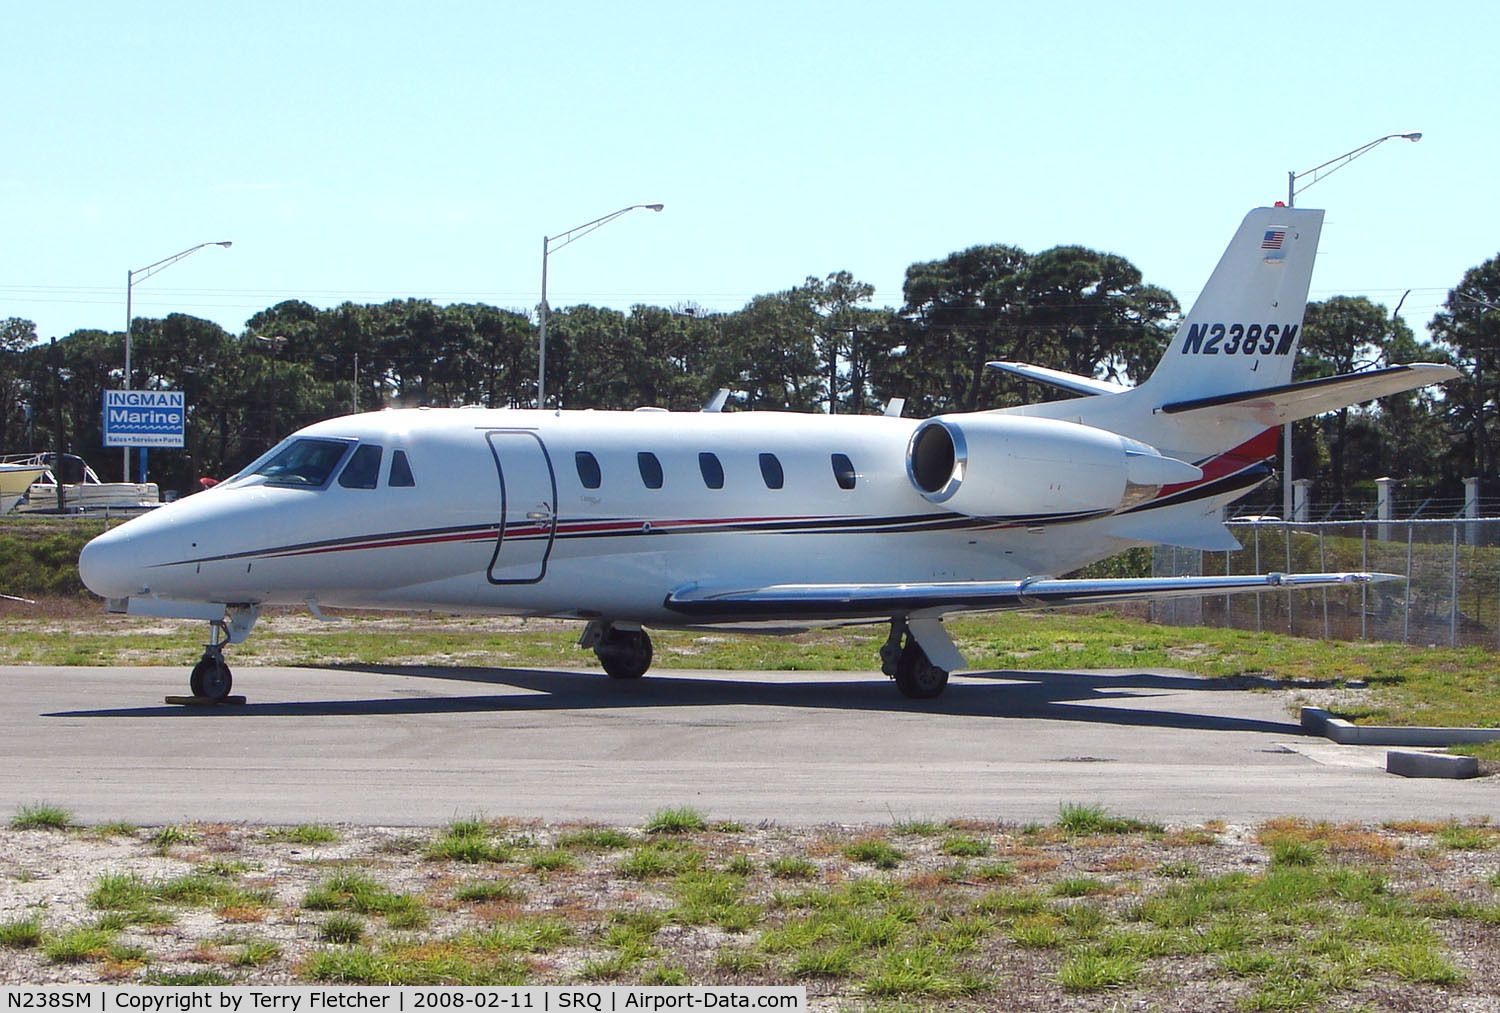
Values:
[(815, 347)]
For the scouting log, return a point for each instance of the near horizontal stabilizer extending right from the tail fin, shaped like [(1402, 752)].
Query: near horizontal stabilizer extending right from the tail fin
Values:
[(1289, 403)]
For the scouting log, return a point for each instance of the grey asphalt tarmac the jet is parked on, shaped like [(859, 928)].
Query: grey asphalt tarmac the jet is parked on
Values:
[(424, 747)]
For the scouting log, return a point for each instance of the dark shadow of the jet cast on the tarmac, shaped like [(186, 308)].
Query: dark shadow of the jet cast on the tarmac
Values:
[(1028, 696)]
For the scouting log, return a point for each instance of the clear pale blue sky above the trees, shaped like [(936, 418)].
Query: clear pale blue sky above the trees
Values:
[(377, 151)]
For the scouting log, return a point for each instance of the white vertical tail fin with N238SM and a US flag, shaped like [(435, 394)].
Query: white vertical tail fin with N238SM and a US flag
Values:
[(1244, 329)]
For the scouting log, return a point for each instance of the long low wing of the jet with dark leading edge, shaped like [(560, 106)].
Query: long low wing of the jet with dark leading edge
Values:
[(865, 601)]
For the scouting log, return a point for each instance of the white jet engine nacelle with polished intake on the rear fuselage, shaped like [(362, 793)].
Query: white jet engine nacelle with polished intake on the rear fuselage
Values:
[(1016, 467)]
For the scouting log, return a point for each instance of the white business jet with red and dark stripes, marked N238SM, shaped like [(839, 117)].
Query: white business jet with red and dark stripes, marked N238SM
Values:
[(628, 520)]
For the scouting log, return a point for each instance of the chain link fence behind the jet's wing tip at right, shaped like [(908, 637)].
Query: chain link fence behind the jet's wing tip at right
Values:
[(1450, 594)]
